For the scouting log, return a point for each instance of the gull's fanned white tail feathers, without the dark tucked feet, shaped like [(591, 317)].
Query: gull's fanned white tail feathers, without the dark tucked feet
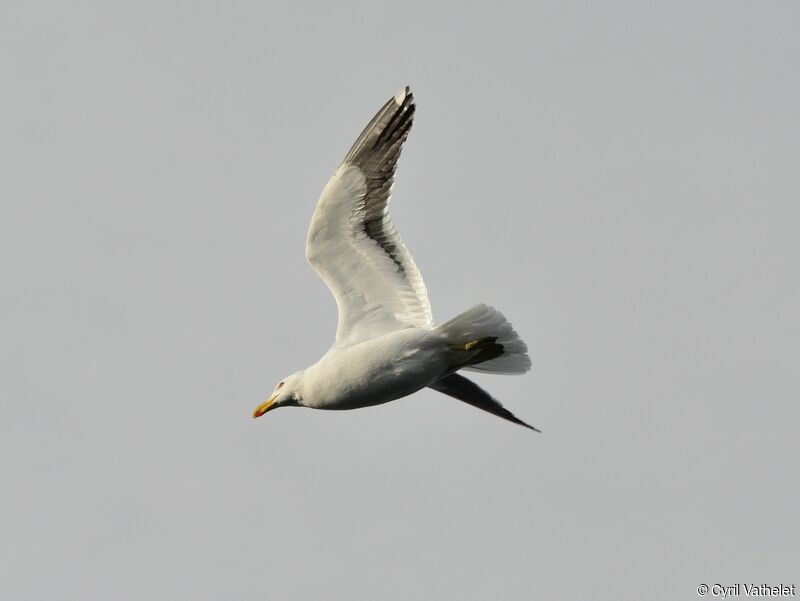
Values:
[(483, 321)]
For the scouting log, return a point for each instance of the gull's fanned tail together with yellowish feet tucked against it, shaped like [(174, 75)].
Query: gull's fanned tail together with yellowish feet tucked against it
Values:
[(488, 341)]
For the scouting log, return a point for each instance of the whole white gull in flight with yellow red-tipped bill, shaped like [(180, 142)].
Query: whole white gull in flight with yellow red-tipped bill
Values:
[(387, 345)]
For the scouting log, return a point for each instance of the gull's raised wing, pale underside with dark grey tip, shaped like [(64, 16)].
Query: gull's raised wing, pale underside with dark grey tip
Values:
[(352, 243)]
